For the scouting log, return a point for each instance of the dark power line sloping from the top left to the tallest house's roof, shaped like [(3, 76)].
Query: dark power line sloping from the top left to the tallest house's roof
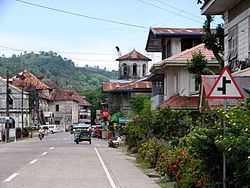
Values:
[(82, 15)]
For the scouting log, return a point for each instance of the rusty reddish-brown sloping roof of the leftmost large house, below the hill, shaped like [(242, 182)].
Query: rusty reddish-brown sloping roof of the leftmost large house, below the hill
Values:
[(30, 79)]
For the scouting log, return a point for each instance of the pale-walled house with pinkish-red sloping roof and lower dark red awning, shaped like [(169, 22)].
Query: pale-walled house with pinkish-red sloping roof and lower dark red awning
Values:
[(180, 89)]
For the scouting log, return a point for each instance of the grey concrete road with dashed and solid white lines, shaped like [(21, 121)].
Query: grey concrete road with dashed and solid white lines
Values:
[(58, 162)]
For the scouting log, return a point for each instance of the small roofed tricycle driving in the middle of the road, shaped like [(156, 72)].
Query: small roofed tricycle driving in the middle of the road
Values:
[(82, 132)]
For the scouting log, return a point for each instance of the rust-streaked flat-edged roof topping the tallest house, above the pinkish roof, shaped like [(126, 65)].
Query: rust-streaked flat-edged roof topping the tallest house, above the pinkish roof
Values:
[(177, 30)]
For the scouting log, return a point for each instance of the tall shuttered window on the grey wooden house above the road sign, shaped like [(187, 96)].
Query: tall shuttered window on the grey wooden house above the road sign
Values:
[(232, 47)]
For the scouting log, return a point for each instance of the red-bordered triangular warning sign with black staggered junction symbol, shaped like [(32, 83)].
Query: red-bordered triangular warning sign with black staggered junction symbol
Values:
[(225, 87)]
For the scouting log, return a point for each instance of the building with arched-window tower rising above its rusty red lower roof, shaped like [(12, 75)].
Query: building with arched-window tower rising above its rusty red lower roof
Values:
[(133, 67)]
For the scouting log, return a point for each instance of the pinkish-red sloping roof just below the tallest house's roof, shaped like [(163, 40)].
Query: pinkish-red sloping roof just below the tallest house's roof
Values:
[(187, 54)]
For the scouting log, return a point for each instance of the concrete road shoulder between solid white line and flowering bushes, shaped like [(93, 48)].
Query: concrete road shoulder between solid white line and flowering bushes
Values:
[(123, 169)]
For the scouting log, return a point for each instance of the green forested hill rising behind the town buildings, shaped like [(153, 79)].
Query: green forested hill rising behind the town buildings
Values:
[(57, 69)]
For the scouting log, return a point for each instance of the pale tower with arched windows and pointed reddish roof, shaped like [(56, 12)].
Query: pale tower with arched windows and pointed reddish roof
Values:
[(132, 66)]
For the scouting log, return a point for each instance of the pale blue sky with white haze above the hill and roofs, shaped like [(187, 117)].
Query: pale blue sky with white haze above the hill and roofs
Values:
[(87, 31)]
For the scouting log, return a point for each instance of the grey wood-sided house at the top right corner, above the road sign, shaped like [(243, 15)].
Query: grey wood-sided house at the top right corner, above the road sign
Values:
[(236, 15)]
